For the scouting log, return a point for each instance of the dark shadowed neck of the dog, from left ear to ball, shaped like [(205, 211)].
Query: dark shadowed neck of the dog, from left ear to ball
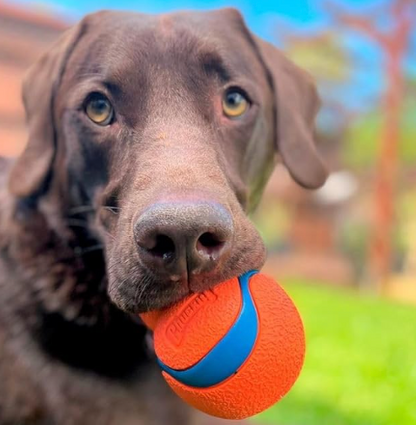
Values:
[(68, 310)]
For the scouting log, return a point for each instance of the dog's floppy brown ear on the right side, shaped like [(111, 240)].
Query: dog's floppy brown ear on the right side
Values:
[(296, 105)]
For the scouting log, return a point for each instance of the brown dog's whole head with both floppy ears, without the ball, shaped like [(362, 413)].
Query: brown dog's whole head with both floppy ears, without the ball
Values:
[(169, 127)]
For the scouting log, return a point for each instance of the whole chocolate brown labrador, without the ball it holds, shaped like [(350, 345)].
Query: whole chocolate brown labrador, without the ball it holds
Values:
[(150, 139)]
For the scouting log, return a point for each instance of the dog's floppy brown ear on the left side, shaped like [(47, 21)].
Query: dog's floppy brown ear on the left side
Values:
[(30, 172)]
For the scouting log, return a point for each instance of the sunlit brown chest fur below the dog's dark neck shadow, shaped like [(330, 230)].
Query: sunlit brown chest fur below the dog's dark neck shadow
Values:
[(38, 389)]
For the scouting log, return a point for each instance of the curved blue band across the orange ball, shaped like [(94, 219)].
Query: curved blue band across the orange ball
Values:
[(229, 354)]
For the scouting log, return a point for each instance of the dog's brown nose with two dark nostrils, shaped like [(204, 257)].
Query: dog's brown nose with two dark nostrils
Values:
[(184, 237)]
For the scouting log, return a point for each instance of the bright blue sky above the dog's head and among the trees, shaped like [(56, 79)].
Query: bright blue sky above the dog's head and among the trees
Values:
[(264, 17)]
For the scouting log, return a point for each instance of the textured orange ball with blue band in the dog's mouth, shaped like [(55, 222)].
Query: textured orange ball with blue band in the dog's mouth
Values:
[(231, 351)]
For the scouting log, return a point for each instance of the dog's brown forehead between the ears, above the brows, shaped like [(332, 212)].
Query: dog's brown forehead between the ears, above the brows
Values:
[(115, 42)]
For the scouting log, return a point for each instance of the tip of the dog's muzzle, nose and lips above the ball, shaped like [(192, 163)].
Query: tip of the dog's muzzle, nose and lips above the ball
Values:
[(178, 248)]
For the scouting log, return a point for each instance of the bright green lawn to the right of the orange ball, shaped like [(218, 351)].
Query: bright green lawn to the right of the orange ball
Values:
[(360, 364)]
